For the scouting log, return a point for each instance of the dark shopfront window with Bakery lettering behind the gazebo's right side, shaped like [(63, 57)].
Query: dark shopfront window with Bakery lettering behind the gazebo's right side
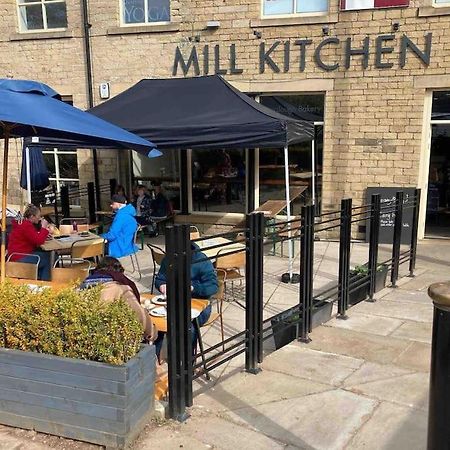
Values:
[(271, 161)]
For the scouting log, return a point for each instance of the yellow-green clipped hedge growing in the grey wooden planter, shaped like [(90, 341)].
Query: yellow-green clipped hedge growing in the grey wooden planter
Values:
[(68, 323)]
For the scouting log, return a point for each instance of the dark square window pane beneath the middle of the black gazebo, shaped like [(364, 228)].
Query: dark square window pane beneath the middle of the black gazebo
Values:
[(218, 180)]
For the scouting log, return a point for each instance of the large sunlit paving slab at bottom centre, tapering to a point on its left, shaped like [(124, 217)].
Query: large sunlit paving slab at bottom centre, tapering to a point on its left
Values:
[(306, 425)]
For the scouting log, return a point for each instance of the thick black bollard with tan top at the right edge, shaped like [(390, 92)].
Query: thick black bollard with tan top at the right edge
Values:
[(439, 399)]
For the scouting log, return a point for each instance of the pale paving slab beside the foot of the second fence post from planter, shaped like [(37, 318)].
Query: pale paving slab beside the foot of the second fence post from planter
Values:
[(318, 366)]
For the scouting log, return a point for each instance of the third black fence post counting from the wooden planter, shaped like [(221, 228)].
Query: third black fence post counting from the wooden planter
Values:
[(306, 271)]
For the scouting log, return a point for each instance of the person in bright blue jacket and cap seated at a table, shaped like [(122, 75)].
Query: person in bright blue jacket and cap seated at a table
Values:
[(120, 236)]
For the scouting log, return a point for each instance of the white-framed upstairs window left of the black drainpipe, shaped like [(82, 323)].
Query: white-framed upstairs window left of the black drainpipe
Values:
[(36, 15)]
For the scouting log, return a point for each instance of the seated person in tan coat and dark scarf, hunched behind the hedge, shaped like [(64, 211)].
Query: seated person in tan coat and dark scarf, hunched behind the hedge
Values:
[(110, 274)]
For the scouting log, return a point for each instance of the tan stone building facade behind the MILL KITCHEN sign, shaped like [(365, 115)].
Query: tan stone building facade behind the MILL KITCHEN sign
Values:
[(377, 68)]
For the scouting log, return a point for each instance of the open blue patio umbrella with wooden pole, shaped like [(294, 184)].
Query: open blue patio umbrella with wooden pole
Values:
[(29, 108)]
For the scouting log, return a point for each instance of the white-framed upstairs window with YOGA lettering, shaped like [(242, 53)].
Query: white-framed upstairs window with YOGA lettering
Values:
[(145, 11)]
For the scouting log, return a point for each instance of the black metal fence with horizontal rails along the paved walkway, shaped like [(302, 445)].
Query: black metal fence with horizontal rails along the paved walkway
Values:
[(312, 308)]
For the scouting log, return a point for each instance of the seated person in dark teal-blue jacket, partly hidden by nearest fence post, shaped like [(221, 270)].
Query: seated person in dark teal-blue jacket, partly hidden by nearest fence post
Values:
[(204, 285)]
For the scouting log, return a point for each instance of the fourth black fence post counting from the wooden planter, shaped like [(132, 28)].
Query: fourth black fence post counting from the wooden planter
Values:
[(344, 257)]
